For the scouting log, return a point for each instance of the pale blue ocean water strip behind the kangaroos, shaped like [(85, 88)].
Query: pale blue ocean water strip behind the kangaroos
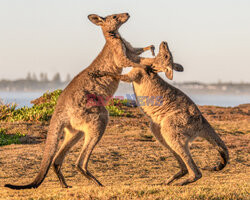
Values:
[(24, 98)]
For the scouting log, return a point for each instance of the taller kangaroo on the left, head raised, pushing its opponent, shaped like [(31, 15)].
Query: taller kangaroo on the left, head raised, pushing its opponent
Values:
[(74, 115)]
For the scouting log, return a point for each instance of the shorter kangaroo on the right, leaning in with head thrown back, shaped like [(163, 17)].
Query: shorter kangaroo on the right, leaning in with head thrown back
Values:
[(177, 120)]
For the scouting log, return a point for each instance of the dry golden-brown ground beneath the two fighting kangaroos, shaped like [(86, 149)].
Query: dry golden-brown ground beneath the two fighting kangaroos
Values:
[(131, 164)]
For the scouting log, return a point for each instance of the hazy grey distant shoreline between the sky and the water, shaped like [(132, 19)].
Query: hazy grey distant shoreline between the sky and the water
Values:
[(23, 85)]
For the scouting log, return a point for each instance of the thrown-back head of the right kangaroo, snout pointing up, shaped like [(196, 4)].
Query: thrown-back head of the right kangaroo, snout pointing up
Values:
[(164, 61)]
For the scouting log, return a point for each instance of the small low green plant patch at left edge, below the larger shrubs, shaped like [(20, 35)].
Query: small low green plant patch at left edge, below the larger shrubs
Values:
[(7, 139)]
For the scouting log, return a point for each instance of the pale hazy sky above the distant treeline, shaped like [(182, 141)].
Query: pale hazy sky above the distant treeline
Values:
[(211, 39)]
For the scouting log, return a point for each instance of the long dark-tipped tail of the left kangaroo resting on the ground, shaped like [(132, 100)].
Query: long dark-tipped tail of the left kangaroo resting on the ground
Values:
[(48, 155)]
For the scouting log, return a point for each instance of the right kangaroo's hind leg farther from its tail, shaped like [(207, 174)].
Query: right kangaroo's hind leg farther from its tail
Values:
[(157, 132)]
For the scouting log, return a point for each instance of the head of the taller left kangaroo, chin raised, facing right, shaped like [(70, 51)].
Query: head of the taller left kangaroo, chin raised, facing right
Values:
[(111, 23)]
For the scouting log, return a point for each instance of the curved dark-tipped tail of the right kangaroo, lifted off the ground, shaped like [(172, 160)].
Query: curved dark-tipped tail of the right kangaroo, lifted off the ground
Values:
[(213, 138)]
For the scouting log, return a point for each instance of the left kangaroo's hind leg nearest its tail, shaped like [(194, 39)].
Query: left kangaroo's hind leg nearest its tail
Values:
[(71, 138)]
